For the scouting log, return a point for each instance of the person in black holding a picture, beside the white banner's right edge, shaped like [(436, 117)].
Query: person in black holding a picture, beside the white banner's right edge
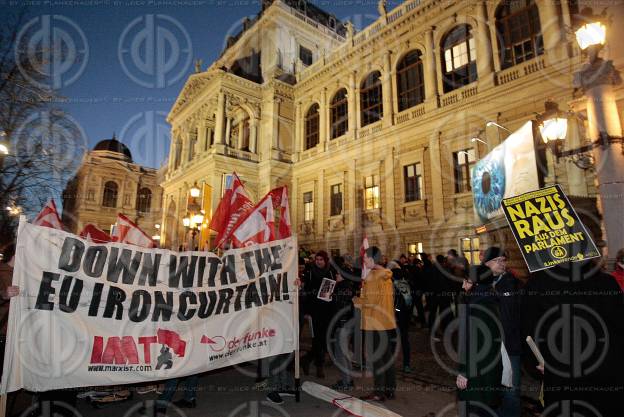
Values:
[(320, 311)]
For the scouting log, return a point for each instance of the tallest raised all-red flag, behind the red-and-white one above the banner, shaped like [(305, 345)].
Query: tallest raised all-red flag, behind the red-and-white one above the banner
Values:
[(234, 205)]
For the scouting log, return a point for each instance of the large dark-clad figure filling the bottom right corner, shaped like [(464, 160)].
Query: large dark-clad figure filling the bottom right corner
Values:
[(574, 313)]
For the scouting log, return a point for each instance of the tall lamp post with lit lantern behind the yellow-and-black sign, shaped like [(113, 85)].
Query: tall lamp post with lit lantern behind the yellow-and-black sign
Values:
[(597, 78)]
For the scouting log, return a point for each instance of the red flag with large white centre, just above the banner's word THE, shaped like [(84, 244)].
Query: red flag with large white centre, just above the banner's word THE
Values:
[(257, 226)]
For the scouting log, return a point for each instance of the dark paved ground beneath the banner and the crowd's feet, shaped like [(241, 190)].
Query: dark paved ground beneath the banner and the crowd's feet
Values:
[(231, 392)]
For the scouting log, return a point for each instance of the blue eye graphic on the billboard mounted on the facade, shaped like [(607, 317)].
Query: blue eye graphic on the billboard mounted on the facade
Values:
[(488, 184)]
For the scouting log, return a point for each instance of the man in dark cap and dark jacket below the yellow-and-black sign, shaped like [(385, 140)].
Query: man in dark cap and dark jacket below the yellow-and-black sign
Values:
[(507, 289)]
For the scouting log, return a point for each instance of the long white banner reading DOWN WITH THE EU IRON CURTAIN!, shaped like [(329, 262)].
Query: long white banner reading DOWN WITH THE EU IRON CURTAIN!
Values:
[(105, 314)]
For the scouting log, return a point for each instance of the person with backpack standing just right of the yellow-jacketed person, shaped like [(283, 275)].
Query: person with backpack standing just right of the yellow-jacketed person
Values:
[(403, 305)]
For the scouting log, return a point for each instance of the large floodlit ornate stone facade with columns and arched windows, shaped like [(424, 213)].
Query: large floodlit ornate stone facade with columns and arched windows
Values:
[(373, 131)]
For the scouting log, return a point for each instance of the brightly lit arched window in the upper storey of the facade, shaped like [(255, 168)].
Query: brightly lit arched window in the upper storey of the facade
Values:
[(459, 58)]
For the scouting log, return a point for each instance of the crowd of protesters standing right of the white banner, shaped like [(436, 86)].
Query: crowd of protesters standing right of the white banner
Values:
[(363, 320)]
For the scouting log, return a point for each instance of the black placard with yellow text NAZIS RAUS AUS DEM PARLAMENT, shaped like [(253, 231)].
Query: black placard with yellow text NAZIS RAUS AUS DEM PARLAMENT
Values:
[(547, 229)]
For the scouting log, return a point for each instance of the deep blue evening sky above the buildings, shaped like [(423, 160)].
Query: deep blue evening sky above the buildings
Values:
[(106, 91)]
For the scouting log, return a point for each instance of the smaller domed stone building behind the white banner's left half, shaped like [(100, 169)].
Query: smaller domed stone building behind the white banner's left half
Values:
[(107, 183)]
